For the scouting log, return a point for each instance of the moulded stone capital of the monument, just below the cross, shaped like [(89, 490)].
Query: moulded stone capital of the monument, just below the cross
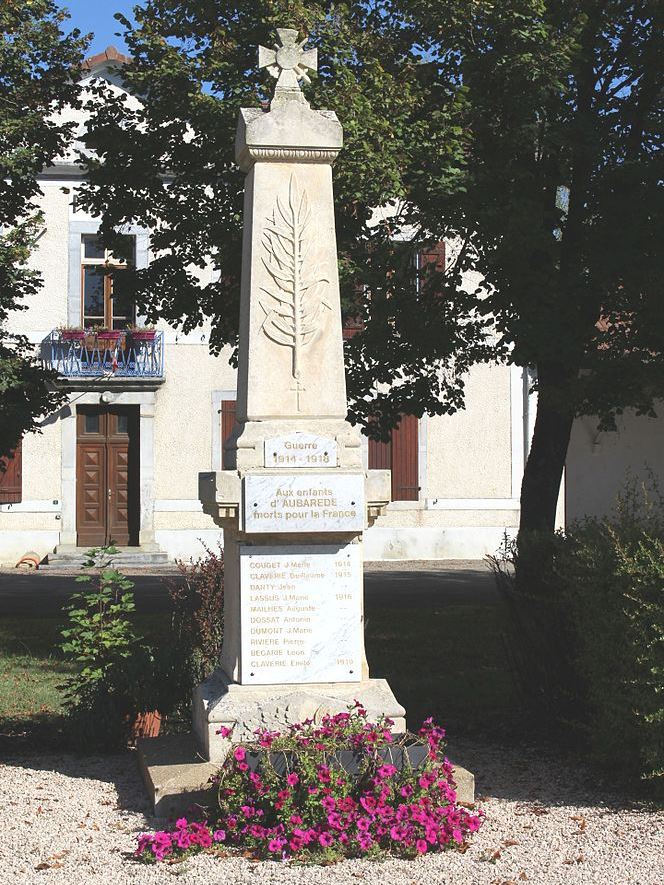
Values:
[(289, 133)]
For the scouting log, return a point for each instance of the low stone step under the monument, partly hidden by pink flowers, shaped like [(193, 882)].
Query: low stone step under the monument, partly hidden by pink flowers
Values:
[(177, 777)]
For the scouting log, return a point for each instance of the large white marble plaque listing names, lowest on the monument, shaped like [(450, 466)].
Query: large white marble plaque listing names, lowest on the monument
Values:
[(301, 614)]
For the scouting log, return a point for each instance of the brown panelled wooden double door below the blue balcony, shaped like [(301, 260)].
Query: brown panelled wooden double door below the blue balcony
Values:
[(107, 476)]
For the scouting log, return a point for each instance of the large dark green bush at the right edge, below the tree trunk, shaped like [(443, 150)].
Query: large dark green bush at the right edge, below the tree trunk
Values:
[(589, 631)]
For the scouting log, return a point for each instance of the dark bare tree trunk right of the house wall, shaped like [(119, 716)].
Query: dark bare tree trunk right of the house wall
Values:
[(548, 451)]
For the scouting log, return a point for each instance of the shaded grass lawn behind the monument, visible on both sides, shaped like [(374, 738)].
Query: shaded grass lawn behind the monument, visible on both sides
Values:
[(448, 662)]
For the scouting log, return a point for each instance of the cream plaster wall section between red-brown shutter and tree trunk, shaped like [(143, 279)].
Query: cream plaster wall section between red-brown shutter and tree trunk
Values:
[(469, 453)]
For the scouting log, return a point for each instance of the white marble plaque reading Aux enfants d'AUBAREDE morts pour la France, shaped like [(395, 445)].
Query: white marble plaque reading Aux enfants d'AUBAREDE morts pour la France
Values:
[(304, 502)]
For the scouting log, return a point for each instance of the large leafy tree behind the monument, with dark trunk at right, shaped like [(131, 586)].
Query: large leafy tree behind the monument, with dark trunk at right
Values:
[(525, 132)]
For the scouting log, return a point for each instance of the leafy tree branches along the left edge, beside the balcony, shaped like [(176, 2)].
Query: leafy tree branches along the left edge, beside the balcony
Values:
[(38, 65)]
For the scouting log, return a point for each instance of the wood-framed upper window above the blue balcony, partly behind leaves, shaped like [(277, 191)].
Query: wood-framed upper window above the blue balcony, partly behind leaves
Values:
[(100, 308)]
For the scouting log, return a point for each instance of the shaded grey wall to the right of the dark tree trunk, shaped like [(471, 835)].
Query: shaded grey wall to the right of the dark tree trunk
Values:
[(598, 463)]
